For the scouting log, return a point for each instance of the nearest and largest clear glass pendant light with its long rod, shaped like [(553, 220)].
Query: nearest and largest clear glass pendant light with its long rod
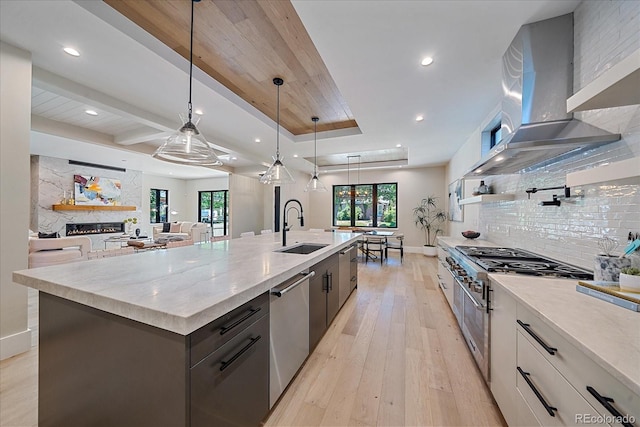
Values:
[(187, 146)]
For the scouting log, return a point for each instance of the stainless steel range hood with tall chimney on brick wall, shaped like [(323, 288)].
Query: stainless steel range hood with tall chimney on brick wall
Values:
[(537, 79)]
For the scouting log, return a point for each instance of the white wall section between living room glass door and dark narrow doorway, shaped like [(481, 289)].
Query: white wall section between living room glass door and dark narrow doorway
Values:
[(246, 199)]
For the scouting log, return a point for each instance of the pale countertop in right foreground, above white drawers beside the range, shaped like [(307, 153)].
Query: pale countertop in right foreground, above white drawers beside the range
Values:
[(608, 334)]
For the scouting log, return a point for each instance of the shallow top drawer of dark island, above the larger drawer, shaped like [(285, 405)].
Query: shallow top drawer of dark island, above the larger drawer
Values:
[(210, 337)]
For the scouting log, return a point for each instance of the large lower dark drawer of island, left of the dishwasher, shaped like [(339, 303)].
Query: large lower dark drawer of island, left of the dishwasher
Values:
[(231, 385)]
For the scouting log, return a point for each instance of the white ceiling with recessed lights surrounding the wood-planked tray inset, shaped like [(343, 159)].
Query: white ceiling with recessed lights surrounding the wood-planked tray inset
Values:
[(372, 49)]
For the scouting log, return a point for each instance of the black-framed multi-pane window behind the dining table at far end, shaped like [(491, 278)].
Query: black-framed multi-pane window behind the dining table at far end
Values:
[(365, 205)]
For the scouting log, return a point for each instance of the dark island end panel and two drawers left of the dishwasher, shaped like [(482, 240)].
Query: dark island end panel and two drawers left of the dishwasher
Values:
[(99, 369)]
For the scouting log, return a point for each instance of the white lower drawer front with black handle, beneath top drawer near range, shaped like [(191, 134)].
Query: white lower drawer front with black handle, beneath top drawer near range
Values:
[(540, 383)]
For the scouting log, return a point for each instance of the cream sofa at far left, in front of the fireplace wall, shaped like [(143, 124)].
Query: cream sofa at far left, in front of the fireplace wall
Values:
[(61, 250)]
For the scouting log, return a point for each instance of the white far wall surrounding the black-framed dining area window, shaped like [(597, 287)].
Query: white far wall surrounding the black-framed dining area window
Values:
[(413, 185)]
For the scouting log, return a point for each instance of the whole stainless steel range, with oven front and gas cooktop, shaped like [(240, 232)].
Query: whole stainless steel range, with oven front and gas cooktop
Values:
[(470, 266)]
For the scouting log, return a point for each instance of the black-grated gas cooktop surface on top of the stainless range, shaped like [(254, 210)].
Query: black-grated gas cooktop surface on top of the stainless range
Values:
[(513, 260)]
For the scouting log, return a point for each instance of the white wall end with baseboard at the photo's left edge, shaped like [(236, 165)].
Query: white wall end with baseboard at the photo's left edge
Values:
[(15, 123)]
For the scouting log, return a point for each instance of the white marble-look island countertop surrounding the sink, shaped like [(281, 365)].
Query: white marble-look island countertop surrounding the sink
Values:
[(183, 289)]
